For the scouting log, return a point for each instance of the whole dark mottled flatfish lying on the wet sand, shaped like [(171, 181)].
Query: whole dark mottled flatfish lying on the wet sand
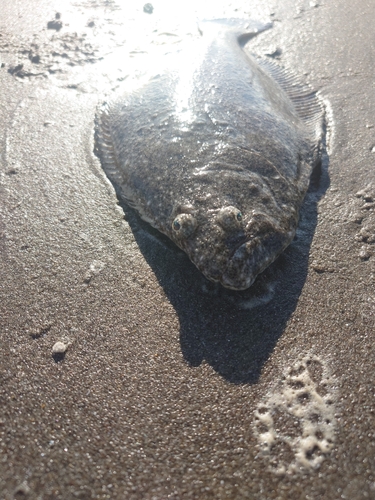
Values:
[(214, 154)]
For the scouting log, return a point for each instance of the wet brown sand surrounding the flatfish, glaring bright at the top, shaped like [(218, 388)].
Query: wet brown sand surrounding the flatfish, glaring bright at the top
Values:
[(171, 387)]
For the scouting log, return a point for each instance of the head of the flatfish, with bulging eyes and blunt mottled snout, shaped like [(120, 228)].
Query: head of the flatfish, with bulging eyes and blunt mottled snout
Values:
[(231, 241)]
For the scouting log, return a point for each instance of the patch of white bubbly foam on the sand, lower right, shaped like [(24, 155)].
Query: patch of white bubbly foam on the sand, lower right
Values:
[(295, 424)]
